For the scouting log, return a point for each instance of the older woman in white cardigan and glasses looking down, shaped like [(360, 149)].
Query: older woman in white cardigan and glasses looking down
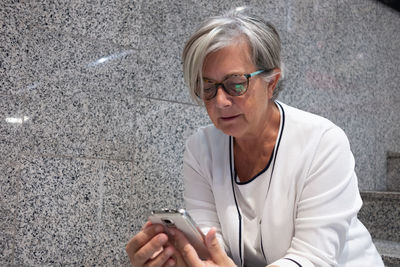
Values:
[(271, 185)]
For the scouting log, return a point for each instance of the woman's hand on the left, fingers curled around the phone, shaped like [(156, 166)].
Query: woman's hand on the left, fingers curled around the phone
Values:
[(150, 247)]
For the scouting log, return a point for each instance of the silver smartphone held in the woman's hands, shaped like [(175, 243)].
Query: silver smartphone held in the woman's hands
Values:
[(181, 220)]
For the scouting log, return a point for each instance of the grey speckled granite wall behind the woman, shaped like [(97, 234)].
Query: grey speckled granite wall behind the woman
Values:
[(94, 112)]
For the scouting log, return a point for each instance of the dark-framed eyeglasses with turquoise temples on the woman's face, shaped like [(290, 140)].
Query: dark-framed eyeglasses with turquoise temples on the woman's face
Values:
[(234, 85)]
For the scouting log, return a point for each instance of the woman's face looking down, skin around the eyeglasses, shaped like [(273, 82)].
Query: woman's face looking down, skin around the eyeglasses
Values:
[(238, 116)]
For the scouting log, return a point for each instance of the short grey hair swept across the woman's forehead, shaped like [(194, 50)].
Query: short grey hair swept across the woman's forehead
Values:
[(221, 31)]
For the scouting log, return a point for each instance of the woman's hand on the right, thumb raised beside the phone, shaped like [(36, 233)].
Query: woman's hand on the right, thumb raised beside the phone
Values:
[(189, 255)]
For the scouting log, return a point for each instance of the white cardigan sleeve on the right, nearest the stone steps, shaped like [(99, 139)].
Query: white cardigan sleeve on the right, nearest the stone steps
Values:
[(327, 205)]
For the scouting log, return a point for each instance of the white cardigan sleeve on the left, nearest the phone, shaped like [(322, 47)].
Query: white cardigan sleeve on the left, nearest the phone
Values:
[(198, 195)]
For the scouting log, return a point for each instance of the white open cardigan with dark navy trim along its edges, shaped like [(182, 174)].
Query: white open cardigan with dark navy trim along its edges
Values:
[(309, 216)]
